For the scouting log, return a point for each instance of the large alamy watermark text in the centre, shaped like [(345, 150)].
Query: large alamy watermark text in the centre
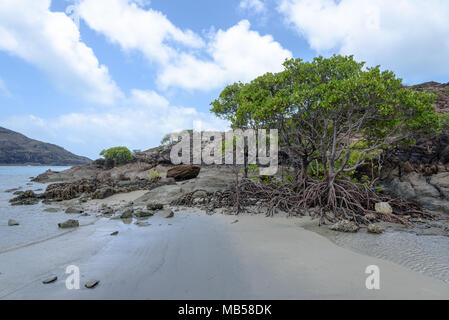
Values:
[(235, 147)]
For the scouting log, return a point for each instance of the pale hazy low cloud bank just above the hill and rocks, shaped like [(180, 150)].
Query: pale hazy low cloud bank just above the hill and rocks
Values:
[(139, 123)]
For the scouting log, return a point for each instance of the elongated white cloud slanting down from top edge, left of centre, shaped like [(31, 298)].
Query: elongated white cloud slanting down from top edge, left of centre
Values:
[(134, 28)]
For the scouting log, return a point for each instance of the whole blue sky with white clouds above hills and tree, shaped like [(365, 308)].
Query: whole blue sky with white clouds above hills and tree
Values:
[(93, 74)]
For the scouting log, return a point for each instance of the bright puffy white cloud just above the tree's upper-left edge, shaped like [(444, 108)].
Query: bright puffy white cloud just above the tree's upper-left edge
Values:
[(237, 54)]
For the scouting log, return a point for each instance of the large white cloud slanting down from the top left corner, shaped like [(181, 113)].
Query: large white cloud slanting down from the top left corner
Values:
[(51, 41)]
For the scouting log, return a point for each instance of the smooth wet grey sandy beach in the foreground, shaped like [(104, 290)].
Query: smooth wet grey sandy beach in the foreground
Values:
[(197, 256)]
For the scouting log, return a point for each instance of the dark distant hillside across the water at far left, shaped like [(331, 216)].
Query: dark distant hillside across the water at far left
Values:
[(16, 149)]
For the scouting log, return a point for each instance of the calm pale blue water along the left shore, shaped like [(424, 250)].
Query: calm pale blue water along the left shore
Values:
[(35, 224)]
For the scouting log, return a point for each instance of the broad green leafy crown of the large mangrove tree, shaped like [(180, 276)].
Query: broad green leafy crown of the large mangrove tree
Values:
[(321, 107)]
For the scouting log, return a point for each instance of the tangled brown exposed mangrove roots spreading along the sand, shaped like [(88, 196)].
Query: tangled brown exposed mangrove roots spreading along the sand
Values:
[(329, 201)]
